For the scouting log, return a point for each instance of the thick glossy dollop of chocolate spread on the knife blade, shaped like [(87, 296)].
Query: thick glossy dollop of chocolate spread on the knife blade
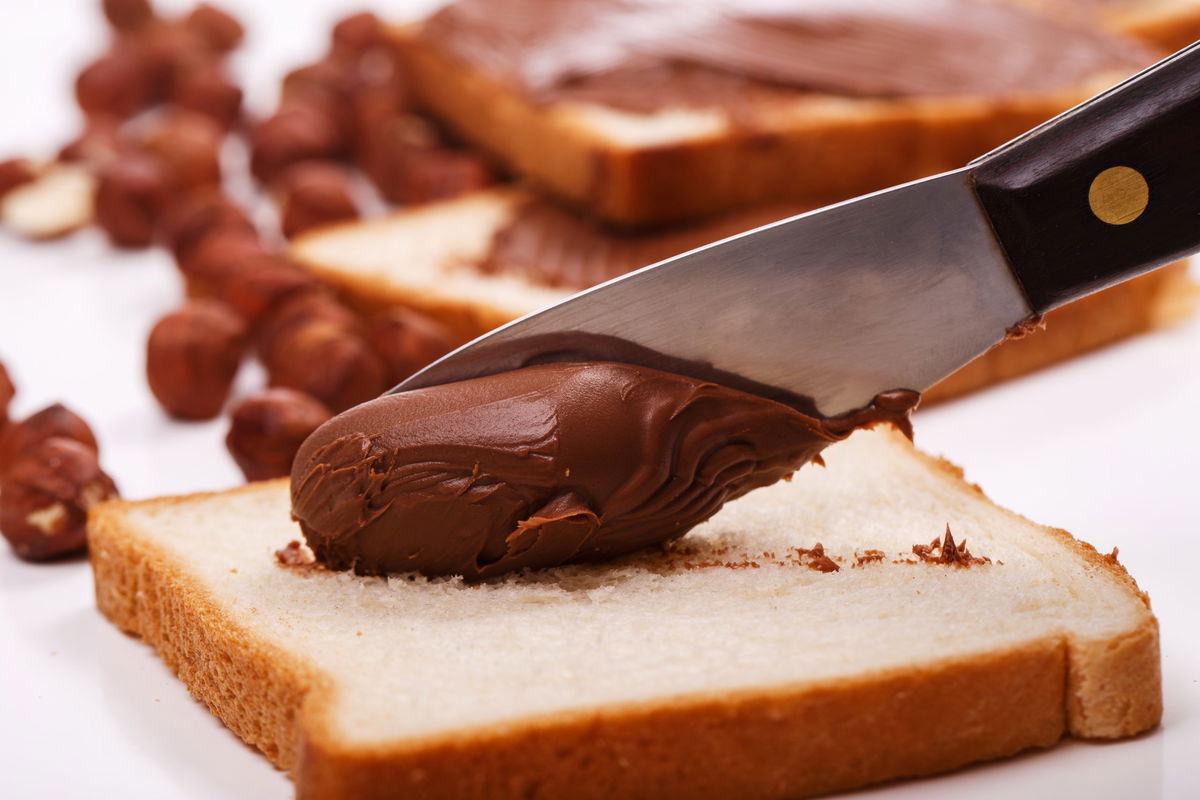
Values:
[(550, 465)]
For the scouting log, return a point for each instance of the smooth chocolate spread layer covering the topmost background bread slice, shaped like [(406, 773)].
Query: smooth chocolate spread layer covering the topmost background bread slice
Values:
[(647, 55)]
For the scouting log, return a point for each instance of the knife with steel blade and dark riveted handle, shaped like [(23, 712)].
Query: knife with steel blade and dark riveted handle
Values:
[(899, 288)]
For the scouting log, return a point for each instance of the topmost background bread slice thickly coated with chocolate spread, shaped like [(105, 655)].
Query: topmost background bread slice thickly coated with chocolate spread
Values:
[(742, 109)]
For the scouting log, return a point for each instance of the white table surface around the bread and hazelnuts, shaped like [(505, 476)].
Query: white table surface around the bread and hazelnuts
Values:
[(1105, 447)]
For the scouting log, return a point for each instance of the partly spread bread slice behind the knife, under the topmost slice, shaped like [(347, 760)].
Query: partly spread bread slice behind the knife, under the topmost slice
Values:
[(484, 260)]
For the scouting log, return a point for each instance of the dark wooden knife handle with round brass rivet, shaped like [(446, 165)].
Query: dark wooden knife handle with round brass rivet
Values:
[(1105, 193)]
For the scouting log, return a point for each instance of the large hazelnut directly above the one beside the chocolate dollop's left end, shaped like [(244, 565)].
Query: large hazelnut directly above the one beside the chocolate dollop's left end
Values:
[(323, 360)]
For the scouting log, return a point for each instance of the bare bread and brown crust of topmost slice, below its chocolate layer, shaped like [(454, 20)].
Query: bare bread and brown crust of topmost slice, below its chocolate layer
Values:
[(641, 170)]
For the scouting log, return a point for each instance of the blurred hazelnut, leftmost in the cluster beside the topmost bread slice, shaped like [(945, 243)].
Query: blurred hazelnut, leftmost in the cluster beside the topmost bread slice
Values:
[(298, 133)]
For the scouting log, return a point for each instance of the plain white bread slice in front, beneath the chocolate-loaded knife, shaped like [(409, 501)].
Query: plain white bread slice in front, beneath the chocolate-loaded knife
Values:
[(722, 667)]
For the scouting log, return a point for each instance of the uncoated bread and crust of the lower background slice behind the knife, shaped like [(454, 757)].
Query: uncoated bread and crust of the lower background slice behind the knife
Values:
[(424, 258)]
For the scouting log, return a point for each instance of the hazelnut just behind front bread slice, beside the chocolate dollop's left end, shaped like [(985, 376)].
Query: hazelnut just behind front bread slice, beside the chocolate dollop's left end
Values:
[(268, 430)]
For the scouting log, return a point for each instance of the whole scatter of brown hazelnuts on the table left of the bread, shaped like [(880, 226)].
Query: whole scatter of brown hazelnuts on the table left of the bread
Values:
[(159, 107)]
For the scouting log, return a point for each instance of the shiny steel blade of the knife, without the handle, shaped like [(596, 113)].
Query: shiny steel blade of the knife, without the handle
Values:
[(890, 291)]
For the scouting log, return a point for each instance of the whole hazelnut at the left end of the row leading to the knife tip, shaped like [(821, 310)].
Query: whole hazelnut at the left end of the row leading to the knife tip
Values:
[(193, 358)]
